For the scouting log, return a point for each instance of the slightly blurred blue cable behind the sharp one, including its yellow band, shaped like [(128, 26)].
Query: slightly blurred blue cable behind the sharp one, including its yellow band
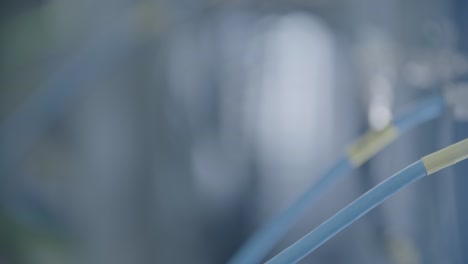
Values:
[(258, 246)]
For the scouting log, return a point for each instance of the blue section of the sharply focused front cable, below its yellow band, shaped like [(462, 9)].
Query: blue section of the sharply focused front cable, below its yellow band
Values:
[(349, 214)]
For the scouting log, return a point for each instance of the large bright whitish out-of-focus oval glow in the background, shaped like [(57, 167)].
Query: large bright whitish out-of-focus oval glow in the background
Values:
[(297, 86)]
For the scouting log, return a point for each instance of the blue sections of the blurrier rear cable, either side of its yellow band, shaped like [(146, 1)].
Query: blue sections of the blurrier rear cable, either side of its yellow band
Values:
[(258, 246)]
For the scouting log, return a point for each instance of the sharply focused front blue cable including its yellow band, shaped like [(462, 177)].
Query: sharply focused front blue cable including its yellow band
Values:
[(424, 167)]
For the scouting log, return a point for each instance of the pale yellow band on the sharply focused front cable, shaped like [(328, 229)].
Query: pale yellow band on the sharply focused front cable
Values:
[(446, 157)]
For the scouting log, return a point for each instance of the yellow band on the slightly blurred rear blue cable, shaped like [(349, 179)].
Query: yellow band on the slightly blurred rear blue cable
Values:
[(369, 144)]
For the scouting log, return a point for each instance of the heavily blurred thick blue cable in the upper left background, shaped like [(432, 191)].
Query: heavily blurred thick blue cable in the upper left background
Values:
[(62, 90)]
